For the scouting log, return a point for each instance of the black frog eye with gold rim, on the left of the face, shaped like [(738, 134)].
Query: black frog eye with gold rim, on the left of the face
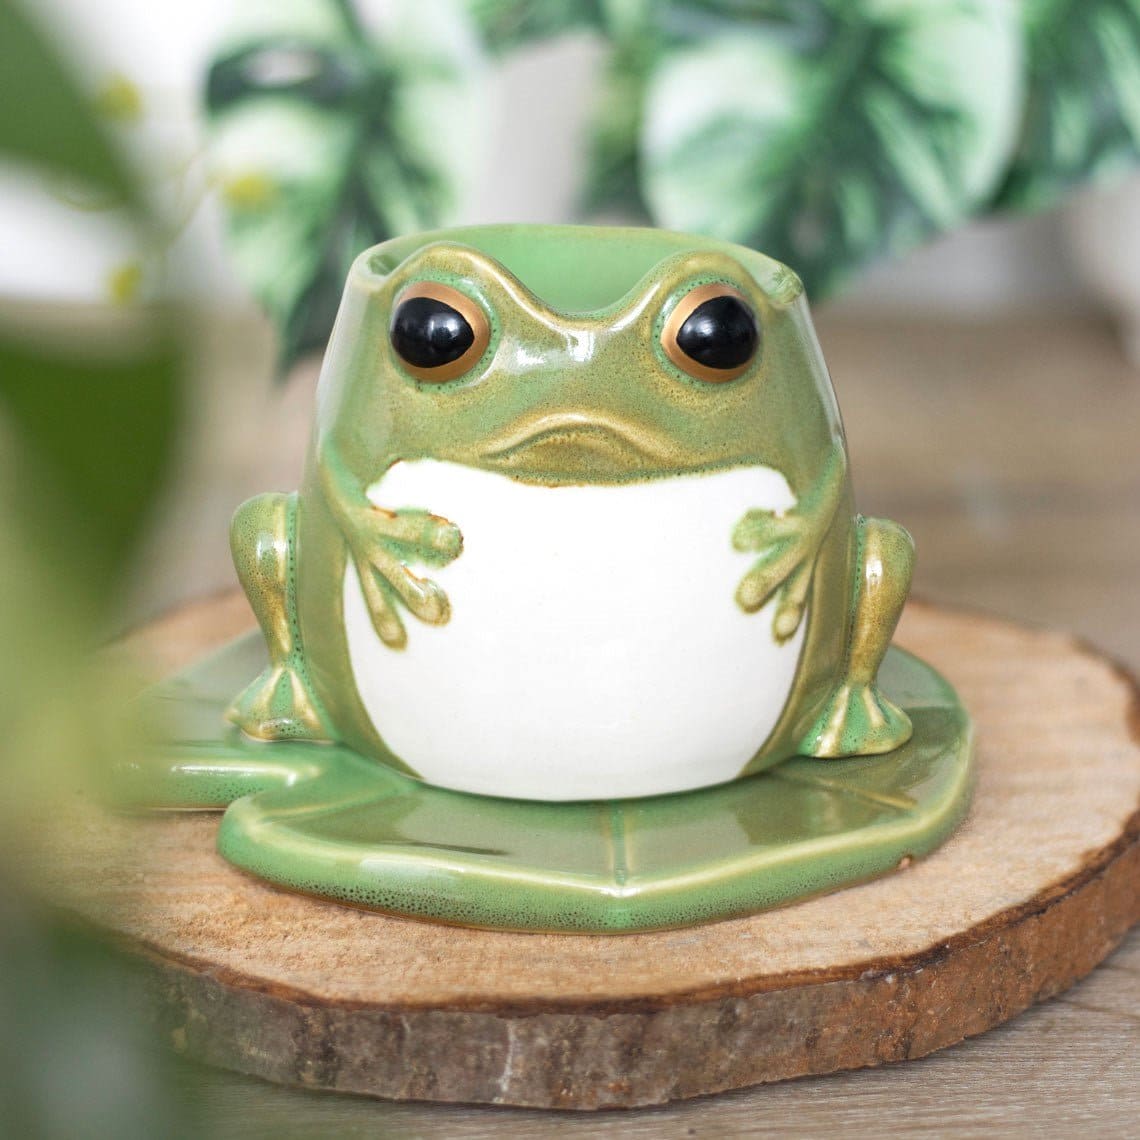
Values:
[(438, 332)]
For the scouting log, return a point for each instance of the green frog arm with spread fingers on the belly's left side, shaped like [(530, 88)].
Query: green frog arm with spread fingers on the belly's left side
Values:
[(382, 543)]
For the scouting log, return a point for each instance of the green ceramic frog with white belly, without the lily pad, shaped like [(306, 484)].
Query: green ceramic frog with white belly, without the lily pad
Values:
[(576, 524)]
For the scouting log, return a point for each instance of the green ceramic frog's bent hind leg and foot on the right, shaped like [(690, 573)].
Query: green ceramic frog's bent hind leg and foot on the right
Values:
[(858, 719)]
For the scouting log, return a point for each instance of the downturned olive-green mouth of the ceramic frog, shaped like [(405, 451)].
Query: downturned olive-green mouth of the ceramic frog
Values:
[(575, 446)]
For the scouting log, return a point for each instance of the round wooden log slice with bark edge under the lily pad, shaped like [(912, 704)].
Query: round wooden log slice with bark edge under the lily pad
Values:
[(1037, 889)]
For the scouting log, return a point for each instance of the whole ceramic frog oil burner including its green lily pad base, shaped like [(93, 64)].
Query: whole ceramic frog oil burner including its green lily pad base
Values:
[(573, 623)]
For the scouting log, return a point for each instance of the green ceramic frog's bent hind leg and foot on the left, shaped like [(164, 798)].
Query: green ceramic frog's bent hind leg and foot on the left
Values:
[(280, 703)]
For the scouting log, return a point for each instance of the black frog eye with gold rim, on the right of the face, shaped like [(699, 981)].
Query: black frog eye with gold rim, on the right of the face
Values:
[(712, 333)]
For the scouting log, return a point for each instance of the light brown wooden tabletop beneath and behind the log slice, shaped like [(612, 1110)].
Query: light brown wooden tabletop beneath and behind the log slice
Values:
[(1012, 453)]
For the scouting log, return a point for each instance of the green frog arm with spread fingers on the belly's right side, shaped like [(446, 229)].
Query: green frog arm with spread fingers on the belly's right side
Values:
[(788, 544)]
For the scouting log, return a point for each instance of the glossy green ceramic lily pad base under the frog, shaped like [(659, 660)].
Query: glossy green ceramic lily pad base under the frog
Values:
[(325, 821)]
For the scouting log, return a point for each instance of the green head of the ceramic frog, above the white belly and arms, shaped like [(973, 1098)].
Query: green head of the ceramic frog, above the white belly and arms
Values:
[(575, 355)]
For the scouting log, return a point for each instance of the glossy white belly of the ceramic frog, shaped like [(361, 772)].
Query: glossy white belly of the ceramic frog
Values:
[(596, 649)]
